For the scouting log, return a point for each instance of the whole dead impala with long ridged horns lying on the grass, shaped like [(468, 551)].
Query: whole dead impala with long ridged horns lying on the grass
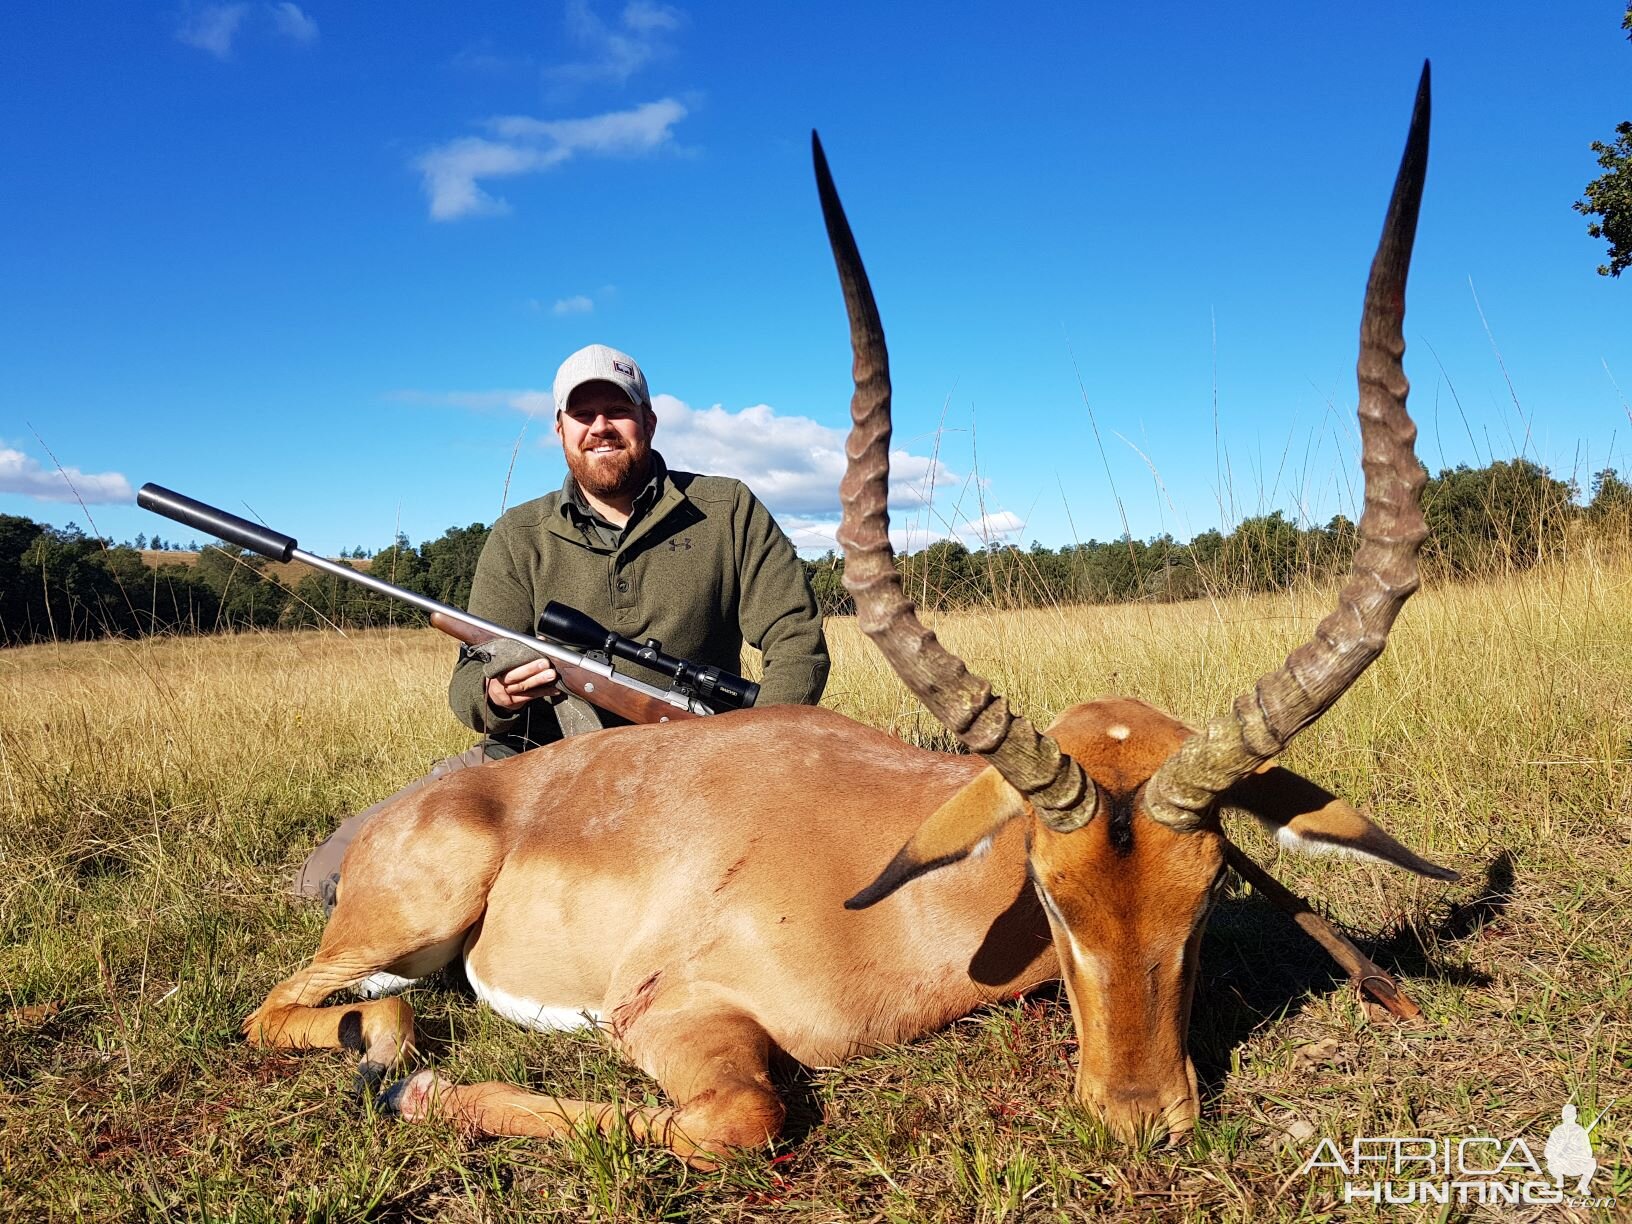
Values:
[(709, 894)]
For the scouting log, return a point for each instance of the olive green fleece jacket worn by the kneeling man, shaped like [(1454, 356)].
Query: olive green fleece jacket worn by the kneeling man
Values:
[(703, 567)]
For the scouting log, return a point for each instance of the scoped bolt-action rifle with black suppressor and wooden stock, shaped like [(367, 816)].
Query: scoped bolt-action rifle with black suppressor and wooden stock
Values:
[(698, 690)]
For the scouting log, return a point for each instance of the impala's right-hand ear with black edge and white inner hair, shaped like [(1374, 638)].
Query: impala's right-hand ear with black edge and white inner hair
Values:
[(1313, 820)]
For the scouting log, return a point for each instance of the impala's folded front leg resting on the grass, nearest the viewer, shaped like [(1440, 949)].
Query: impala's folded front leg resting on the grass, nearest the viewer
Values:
[(714, 1063)]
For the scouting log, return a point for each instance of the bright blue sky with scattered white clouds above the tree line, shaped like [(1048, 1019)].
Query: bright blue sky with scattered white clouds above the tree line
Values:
[(319, 262)]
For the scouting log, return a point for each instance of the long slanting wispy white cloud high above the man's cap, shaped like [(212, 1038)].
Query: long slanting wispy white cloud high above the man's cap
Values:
[(528, 146)]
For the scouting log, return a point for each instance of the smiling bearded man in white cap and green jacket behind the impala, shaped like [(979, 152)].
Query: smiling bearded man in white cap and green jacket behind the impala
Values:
[(694, 562)]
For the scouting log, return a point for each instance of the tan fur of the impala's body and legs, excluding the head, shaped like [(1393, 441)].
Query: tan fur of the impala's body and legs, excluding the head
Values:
[(644, 876)]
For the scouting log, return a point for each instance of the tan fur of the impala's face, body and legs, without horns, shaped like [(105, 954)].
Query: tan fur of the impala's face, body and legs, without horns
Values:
[(647, 877)]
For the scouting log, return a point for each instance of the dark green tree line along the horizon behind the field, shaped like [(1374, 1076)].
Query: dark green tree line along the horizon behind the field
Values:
[(58, 583)]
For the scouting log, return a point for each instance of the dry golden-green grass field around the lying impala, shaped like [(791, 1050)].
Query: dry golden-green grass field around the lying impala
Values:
[(159, 794)]
